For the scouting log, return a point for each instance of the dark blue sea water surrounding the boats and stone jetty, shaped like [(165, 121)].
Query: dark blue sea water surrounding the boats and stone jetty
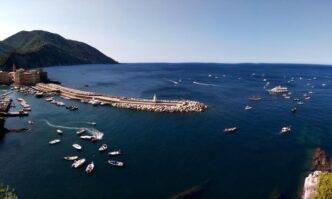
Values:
[(168, 153)]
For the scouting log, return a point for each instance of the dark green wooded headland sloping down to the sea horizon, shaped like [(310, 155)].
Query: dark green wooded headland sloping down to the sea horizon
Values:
[(41, 49)]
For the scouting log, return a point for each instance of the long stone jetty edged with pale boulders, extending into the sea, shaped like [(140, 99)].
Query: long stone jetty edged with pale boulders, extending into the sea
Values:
[(152, 105)]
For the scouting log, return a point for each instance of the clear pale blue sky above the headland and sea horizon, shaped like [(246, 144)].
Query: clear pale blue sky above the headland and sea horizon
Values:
[(184, 30)]
